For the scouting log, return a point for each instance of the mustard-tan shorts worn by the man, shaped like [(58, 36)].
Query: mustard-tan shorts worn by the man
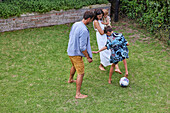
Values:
[(77, 62)]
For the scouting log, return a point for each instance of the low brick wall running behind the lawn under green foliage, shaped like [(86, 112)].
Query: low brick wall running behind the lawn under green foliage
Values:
[(33, 20)]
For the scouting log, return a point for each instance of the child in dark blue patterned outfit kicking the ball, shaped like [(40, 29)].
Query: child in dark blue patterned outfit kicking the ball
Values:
[(119, 51)]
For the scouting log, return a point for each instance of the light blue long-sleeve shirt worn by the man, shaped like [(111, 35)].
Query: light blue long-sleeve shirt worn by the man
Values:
[(79, 40)]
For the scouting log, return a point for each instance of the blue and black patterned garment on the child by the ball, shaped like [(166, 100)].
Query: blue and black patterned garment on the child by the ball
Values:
[(117, 44)]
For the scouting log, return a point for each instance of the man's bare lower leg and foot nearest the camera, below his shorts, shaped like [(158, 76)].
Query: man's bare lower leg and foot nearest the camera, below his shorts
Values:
[(78, 86)]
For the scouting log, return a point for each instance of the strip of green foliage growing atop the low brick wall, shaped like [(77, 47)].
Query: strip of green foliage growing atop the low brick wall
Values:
[(10, 8)]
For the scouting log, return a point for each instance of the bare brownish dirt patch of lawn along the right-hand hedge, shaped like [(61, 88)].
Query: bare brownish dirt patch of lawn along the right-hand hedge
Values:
[(135, 32)]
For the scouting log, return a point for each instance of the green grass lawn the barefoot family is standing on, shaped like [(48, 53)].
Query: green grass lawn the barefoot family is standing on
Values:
[(34, 70)]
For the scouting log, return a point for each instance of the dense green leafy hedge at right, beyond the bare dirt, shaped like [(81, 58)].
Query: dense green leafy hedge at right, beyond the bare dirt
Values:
[(152, 14)]
